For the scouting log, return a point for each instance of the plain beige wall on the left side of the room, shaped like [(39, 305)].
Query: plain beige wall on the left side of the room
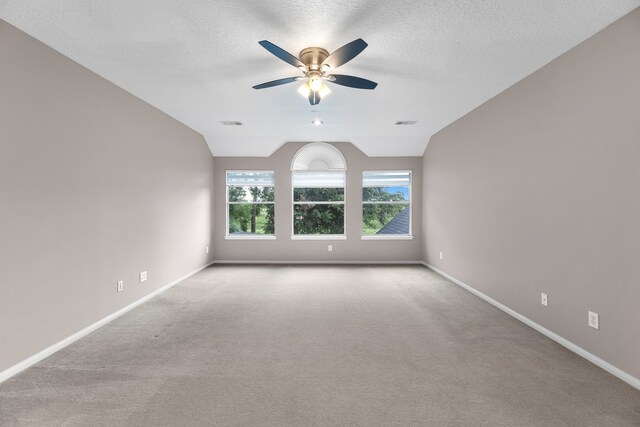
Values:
[(95, 186)]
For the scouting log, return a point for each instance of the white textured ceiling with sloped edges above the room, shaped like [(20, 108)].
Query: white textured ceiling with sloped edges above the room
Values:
[(196, 60)]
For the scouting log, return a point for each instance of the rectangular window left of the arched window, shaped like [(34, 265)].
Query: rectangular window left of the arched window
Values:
[(250, 204)]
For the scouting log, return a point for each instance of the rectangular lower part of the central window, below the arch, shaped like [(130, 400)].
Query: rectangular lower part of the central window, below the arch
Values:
[(318, 203)]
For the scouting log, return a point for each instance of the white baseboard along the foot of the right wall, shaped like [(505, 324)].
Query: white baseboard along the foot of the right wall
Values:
[(633, 381)]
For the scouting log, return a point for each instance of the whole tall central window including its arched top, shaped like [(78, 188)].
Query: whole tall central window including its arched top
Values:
[(318, 182)]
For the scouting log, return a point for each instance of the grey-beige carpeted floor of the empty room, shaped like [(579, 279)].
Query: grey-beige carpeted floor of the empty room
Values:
[(316, 345)]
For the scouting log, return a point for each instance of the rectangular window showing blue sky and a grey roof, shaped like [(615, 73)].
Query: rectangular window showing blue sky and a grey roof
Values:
[(386, 204)]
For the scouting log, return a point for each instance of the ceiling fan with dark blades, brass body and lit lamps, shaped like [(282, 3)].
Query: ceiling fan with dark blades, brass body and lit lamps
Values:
[(316, 65)]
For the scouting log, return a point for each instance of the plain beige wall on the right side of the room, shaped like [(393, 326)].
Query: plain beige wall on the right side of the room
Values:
[(538, 190)]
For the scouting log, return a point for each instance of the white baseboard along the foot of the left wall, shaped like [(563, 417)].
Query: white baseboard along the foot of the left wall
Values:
[(21, 366)]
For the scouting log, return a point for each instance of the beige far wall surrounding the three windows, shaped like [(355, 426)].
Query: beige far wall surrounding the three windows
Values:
[(285, 249)]
